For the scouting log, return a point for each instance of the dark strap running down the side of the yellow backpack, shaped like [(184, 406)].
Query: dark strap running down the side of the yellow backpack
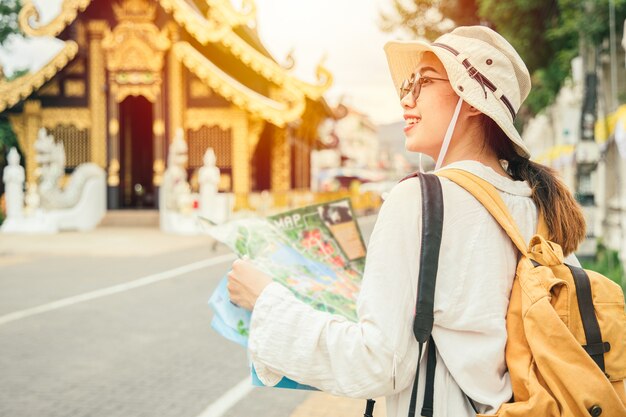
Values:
[(595, 347)]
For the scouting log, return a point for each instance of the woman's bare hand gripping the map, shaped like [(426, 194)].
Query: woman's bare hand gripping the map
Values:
[(246, 283)]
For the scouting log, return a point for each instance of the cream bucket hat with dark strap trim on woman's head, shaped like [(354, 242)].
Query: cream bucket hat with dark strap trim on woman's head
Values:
[(483, 68)]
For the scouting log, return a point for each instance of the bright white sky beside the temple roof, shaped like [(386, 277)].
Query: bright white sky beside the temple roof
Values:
[(343, 32)]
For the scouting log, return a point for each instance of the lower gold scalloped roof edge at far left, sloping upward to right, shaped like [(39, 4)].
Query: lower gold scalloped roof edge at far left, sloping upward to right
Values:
[(11, 92)]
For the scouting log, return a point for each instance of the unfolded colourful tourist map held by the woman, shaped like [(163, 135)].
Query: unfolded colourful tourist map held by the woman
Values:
[(317, 252)]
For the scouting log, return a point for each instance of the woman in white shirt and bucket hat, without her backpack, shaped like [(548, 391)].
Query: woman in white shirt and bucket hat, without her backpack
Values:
[(460, 98)]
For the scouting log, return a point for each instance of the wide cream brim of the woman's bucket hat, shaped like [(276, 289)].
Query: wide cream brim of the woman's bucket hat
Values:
[(403, 58)]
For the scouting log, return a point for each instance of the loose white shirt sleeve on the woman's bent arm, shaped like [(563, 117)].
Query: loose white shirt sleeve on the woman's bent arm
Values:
[(377, 355)]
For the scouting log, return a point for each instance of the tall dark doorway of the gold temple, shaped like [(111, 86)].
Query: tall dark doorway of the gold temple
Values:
[(136, 154)]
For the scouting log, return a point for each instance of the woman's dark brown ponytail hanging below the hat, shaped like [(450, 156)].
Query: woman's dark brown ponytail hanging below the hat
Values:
[(562, 214)]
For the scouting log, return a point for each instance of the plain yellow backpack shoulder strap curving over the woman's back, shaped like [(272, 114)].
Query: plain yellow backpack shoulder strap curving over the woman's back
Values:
[(488, 197)]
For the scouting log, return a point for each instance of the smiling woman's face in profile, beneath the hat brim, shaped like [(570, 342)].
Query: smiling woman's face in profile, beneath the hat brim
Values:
[(428, 117)]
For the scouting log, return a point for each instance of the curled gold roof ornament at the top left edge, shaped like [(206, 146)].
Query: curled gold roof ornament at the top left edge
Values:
[(29, 15)]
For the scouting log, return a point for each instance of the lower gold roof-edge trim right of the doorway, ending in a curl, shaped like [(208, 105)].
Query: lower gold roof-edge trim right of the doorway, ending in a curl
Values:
[(278, 113)]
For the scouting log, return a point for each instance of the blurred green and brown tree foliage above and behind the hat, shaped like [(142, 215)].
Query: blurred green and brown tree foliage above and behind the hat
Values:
[(546, 33)]
